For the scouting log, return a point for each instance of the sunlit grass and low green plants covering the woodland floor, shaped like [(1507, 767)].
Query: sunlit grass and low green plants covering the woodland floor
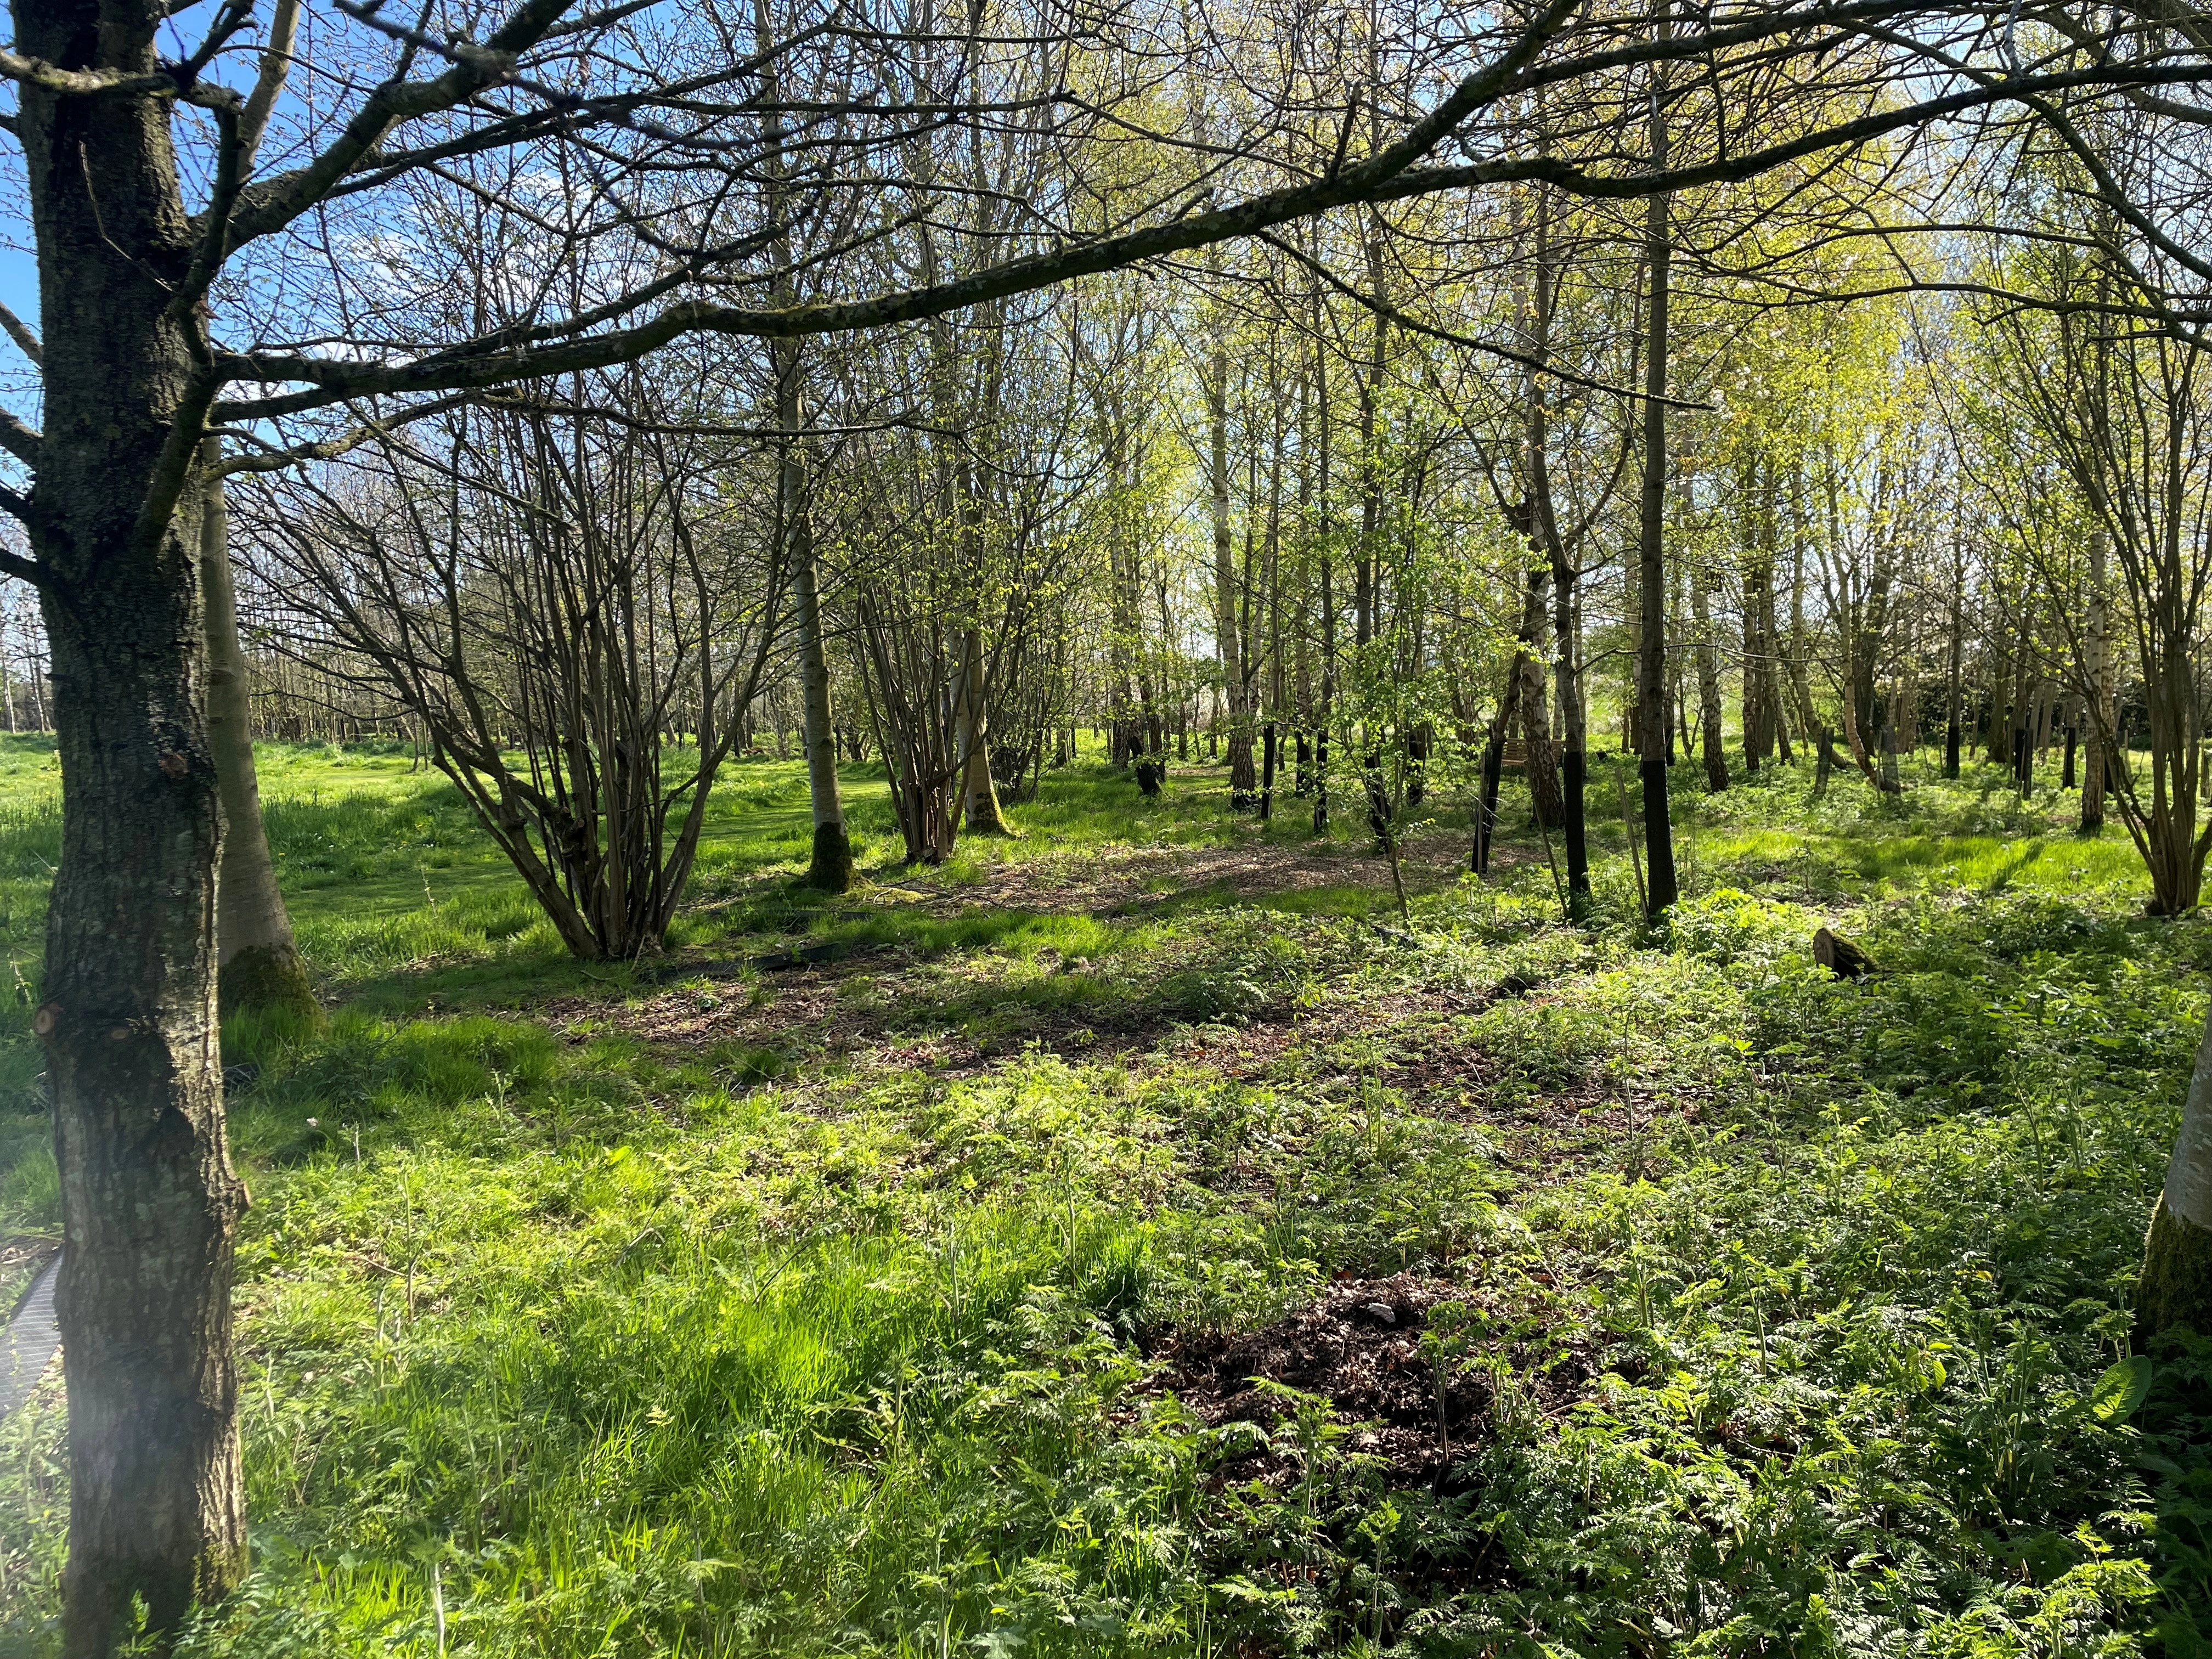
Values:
[(1136, 1240)]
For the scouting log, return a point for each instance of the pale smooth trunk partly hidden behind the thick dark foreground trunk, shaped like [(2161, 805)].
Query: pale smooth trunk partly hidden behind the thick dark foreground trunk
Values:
[(260, 966)]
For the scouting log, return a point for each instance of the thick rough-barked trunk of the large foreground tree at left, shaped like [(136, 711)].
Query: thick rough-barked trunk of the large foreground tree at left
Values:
[(149, 1200)]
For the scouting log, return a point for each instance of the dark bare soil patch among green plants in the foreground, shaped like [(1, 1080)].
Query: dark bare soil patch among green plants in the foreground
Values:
[(1359, 1348)]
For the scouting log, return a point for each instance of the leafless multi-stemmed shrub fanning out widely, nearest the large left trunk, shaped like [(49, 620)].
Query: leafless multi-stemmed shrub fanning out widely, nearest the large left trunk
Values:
[(552, 596)]
